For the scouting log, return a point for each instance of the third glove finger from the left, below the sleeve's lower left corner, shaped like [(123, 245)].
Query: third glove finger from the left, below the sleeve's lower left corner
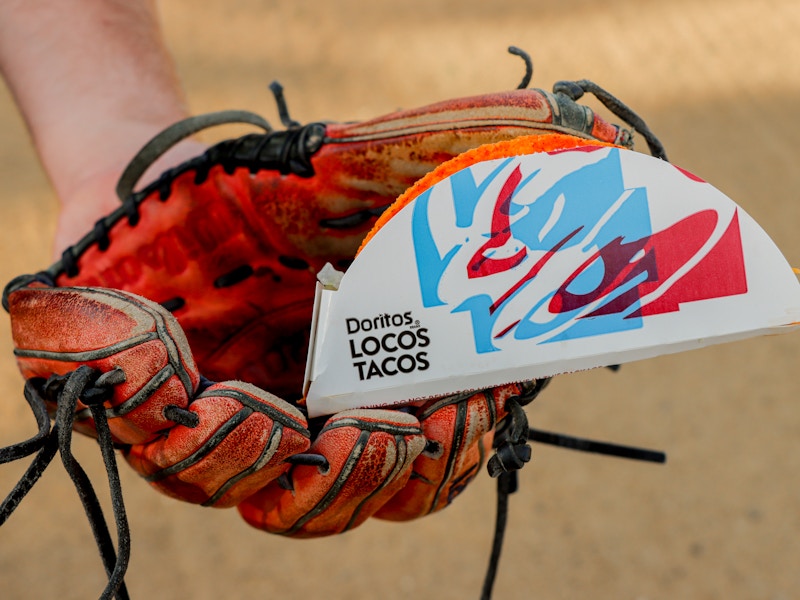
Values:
[(369, 455)]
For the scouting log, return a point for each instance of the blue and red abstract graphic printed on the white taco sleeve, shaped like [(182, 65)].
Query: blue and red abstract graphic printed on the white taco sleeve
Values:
[(550, 257)]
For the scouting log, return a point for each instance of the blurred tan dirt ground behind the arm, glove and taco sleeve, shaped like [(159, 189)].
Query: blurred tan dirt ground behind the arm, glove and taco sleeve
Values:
[(719, 82)]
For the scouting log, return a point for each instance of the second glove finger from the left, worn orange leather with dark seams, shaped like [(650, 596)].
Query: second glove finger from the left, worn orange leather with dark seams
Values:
[(240, 443)]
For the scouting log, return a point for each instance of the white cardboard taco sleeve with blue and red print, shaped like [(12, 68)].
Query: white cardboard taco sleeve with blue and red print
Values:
[(542, 264)]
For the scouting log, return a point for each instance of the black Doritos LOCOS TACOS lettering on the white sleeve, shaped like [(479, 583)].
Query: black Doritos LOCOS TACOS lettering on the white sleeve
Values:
[(386, 345)]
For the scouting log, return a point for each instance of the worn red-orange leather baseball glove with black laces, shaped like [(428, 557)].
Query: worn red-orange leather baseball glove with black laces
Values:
[(176, 330)]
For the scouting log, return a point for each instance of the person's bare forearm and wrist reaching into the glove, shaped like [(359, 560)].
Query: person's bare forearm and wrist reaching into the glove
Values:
[(94, 82)]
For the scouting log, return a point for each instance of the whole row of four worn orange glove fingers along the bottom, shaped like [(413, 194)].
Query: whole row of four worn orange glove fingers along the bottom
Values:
[(230, 444)]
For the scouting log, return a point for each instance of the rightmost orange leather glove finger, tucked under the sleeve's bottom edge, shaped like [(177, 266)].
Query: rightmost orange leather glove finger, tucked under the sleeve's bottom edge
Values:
[(459, 433)]
